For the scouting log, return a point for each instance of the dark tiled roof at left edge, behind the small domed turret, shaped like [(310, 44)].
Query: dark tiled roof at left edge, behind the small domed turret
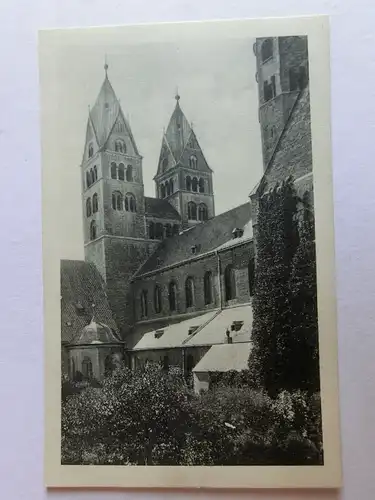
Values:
[(81, 287)]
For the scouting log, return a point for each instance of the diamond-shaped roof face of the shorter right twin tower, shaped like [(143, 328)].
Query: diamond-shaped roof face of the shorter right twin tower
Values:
[(178, 131)]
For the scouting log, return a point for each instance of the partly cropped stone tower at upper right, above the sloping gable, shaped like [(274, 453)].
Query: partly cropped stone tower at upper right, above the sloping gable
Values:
[(282, 71)]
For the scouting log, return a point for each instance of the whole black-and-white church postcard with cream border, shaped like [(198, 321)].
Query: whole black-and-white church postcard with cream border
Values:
[(190, 323)]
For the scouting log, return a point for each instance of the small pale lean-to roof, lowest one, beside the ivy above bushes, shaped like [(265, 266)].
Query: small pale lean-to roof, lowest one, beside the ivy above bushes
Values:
[(224, 358)]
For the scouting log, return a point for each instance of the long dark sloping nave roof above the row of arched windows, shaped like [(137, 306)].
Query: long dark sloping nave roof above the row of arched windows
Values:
[(207, 236)]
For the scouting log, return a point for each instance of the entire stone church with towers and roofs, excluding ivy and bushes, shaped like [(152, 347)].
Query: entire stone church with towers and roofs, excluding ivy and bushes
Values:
[(165, 279)]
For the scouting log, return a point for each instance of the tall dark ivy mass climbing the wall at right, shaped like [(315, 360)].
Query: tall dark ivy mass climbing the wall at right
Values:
[(285, 330)]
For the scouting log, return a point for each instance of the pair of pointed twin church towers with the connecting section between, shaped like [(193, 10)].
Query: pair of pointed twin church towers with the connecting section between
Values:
[(122, 226)]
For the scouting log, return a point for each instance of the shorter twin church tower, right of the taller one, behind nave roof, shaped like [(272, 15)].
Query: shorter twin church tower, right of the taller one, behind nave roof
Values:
[(183, 175)]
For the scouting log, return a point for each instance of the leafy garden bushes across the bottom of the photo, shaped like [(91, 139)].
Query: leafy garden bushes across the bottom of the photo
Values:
[(152, 417)]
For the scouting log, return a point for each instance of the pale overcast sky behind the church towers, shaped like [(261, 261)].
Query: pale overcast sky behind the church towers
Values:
[(216, 82)]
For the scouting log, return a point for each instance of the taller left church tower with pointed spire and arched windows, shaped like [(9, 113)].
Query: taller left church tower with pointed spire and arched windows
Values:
[(113, 201)]
